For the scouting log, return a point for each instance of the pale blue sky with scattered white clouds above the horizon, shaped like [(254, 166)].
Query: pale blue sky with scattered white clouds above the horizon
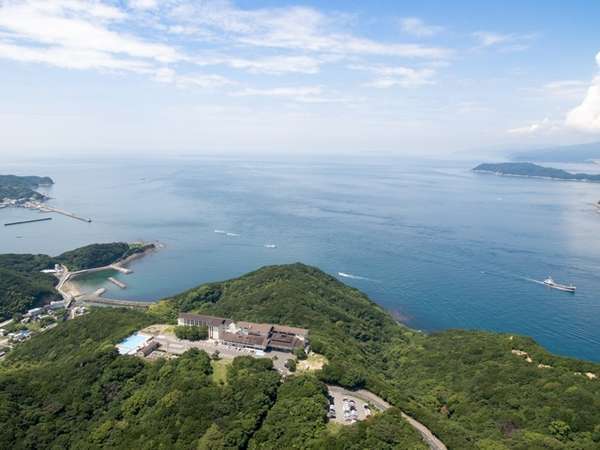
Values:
[(180, 77)]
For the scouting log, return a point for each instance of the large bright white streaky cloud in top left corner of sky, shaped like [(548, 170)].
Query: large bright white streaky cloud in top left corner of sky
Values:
[(75, 34)]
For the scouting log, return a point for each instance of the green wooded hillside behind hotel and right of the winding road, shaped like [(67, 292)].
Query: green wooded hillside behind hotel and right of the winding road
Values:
[(467, 386)]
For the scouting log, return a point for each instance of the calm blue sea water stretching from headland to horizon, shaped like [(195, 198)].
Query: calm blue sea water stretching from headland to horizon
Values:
[(443, 247)]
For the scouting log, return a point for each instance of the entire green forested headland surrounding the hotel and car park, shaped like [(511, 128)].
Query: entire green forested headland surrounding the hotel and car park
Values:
[(69, 387)]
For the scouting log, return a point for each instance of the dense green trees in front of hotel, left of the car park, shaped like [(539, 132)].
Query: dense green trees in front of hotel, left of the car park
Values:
[(69, 388)]
